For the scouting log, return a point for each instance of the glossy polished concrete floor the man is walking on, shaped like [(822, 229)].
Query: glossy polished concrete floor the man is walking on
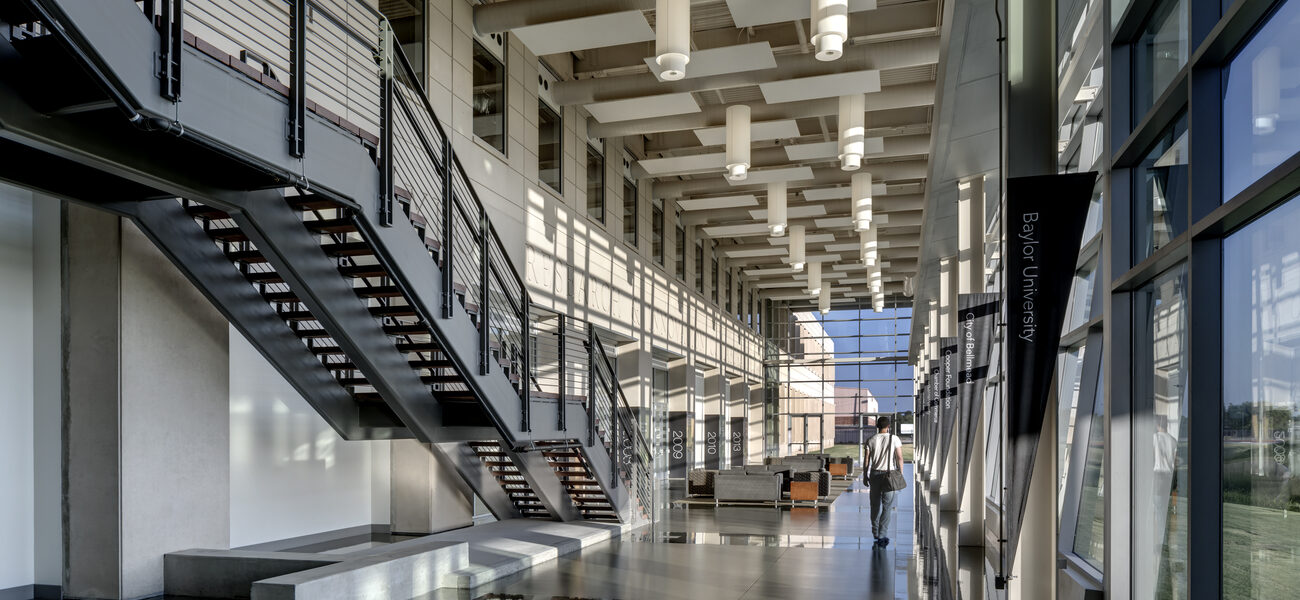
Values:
[(733, 554)]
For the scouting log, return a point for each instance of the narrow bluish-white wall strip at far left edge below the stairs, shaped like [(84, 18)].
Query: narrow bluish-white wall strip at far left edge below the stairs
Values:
[(18, 514)]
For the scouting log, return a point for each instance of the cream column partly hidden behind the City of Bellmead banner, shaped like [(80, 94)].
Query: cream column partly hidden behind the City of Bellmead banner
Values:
[(970, 280)]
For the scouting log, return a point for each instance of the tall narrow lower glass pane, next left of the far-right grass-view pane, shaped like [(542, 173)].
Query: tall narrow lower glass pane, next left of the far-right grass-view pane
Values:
[(1160, 418)]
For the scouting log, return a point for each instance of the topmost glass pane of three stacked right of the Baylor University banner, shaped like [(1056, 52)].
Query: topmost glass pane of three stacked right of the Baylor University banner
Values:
[(1159, 54)]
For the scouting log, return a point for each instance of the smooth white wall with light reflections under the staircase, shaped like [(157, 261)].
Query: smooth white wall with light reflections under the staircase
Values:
[(291, 473)]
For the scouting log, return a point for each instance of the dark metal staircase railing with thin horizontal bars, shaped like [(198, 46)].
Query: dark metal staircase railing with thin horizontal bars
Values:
[(339, 59)]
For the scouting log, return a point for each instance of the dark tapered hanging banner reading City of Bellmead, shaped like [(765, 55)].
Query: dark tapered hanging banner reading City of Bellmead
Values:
[(977, 315)]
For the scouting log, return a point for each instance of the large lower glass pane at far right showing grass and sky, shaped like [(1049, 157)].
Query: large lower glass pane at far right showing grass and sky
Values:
[(1262, 408)]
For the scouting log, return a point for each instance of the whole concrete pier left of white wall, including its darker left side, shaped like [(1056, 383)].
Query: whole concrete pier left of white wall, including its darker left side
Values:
[(146, 412)]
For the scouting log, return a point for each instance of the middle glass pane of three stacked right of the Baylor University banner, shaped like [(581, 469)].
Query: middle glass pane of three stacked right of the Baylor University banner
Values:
[(1160, 203)]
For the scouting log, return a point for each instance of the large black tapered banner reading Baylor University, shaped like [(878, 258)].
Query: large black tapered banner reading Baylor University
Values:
[(1045, 225)]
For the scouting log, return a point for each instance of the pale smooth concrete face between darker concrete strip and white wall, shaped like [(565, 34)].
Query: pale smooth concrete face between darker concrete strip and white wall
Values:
[(175, 438)]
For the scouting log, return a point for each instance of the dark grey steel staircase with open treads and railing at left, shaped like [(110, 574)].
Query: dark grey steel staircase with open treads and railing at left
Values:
[(356, 255)]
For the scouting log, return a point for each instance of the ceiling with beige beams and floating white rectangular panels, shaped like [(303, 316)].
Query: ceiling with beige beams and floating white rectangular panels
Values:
[(757, 53)]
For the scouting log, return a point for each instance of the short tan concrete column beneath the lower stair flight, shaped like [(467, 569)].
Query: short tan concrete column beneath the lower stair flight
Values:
[(428, 495)]
